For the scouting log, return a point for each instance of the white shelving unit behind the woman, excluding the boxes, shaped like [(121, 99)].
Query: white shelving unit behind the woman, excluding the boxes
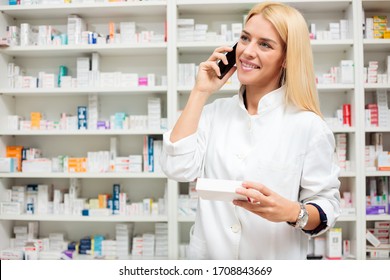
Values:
[(162, 59)]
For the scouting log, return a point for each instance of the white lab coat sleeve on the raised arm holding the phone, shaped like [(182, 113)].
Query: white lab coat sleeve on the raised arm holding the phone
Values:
[(182, 160)]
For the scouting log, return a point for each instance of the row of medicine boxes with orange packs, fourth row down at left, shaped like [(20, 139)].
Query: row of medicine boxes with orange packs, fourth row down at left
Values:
[(21, 159)]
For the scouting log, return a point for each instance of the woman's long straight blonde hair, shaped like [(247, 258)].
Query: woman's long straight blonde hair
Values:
[(299, 77)]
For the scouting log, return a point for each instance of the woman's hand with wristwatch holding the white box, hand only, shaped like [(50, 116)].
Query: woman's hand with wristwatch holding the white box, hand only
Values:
[(266, 203)]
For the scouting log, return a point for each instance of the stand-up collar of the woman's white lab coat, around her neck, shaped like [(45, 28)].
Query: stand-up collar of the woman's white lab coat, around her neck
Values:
[(268, 102)]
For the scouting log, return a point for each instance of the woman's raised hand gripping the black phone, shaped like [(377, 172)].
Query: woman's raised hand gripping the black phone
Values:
[(207, 81)]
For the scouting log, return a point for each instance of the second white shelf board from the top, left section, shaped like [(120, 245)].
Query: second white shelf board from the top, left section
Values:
[(80, 50)]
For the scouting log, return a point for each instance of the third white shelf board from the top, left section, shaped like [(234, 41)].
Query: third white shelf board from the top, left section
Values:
[(83, 91)]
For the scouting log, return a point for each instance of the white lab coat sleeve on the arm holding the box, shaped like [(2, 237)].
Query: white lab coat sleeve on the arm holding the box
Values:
[(319, 182)]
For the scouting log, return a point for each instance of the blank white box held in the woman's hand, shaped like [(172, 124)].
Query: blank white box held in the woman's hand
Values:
[(222, 190)]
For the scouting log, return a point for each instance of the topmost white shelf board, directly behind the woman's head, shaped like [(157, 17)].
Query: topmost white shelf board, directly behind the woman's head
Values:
[(235, 6)]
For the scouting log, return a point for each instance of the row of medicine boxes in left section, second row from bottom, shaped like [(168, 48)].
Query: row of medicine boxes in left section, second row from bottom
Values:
[(47, 200)]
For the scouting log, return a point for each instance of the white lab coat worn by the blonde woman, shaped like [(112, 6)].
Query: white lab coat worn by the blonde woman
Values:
[(288, 150)]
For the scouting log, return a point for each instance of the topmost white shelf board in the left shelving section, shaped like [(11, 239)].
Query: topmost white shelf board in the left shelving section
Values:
[(149, 8)]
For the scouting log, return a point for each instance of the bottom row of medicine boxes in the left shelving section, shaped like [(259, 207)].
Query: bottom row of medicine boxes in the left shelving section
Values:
[(27, 245)]
